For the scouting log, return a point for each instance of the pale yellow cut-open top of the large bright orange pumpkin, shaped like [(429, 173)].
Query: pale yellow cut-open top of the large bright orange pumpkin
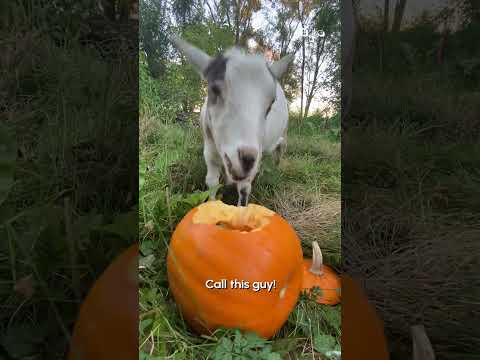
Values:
[(245, 219)]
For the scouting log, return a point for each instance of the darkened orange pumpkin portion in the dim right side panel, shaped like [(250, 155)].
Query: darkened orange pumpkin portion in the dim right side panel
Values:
[(363, 335)]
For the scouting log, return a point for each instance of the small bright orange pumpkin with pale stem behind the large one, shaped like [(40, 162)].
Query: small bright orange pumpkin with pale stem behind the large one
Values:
[(318, 275)]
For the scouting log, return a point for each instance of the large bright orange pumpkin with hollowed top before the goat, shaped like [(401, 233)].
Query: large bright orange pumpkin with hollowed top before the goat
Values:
[(251, 244)]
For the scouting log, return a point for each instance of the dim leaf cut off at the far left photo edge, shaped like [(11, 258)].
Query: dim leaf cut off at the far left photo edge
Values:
[(8, 154)]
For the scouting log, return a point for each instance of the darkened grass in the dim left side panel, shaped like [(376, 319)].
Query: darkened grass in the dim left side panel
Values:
[(67, 201)]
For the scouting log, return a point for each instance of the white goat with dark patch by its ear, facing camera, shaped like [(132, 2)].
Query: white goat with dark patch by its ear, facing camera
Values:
[(244, 114)]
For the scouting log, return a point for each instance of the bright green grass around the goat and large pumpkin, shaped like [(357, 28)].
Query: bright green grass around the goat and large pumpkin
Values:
[(305, 189)]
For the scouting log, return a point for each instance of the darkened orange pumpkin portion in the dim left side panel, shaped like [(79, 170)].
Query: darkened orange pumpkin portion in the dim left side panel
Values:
[(107, 324)]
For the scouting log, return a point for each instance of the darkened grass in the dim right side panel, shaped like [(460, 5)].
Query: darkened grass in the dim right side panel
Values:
[(410, 182)]
